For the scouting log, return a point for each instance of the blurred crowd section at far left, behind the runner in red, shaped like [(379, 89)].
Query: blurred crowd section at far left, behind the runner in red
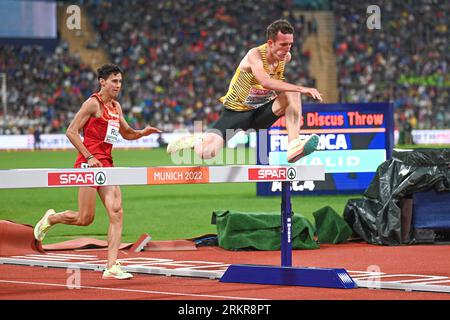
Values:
[(44, 90)]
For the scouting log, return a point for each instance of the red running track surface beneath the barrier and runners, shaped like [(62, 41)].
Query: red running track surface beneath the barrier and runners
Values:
[(38, 283)]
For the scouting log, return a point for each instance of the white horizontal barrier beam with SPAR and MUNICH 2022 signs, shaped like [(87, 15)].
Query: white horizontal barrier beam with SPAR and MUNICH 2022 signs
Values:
[(43, 178)]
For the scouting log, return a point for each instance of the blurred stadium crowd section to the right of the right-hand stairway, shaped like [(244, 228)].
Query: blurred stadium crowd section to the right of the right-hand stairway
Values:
[(407, 62)]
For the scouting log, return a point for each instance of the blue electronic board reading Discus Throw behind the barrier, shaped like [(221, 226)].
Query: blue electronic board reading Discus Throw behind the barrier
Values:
[(354, 140)]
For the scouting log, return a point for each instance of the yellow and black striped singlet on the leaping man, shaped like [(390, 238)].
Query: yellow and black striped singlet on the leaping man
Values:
[(245, 93)]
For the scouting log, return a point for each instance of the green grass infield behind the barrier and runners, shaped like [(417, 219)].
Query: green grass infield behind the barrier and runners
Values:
[(165, 212)]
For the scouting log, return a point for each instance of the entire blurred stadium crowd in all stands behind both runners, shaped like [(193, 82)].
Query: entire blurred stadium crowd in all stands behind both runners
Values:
[(178, 58)]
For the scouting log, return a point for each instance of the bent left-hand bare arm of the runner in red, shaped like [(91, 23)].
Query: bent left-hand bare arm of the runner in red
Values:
[(90, 108)]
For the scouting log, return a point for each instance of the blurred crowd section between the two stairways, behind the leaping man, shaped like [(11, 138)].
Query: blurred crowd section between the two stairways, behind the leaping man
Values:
[(180, 55)]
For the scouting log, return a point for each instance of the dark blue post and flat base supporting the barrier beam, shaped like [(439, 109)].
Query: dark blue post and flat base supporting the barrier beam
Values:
[(286, 274)]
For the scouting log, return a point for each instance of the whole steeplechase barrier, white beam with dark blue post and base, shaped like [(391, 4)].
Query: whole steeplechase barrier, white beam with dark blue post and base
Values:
[(282, 275)]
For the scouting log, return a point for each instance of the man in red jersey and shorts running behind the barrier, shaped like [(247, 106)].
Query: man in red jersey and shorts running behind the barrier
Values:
[(101, 119)]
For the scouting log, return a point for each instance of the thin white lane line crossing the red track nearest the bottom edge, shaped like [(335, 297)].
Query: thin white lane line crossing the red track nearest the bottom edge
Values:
[(132, 290)]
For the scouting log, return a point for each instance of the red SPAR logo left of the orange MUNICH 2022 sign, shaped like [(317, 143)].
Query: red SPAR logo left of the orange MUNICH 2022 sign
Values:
[(76, 178)]
